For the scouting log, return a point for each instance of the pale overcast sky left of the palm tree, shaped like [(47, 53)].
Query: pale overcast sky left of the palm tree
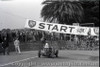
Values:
[(13, 13)]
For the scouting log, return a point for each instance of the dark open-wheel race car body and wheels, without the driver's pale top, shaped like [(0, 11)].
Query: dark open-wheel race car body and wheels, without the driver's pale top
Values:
[(48, 52)]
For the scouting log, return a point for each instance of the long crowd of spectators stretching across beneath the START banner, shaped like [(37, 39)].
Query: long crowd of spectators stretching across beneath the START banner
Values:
[(26, 35)]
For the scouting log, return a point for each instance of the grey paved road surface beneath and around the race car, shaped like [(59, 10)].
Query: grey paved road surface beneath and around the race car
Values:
[(66, 59)]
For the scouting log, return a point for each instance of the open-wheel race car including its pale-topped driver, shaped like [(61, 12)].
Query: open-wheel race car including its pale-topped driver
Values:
[(50, 49)]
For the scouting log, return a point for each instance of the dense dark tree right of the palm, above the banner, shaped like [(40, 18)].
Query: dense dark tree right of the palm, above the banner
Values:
[(91, 12)]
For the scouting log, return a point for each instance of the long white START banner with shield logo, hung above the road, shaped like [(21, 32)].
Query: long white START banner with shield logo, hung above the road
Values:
[(61, 28)]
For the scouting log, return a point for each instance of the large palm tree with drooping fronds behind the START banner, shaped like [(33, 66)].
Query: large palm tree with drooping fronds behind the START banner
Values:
[(63, 12)]
